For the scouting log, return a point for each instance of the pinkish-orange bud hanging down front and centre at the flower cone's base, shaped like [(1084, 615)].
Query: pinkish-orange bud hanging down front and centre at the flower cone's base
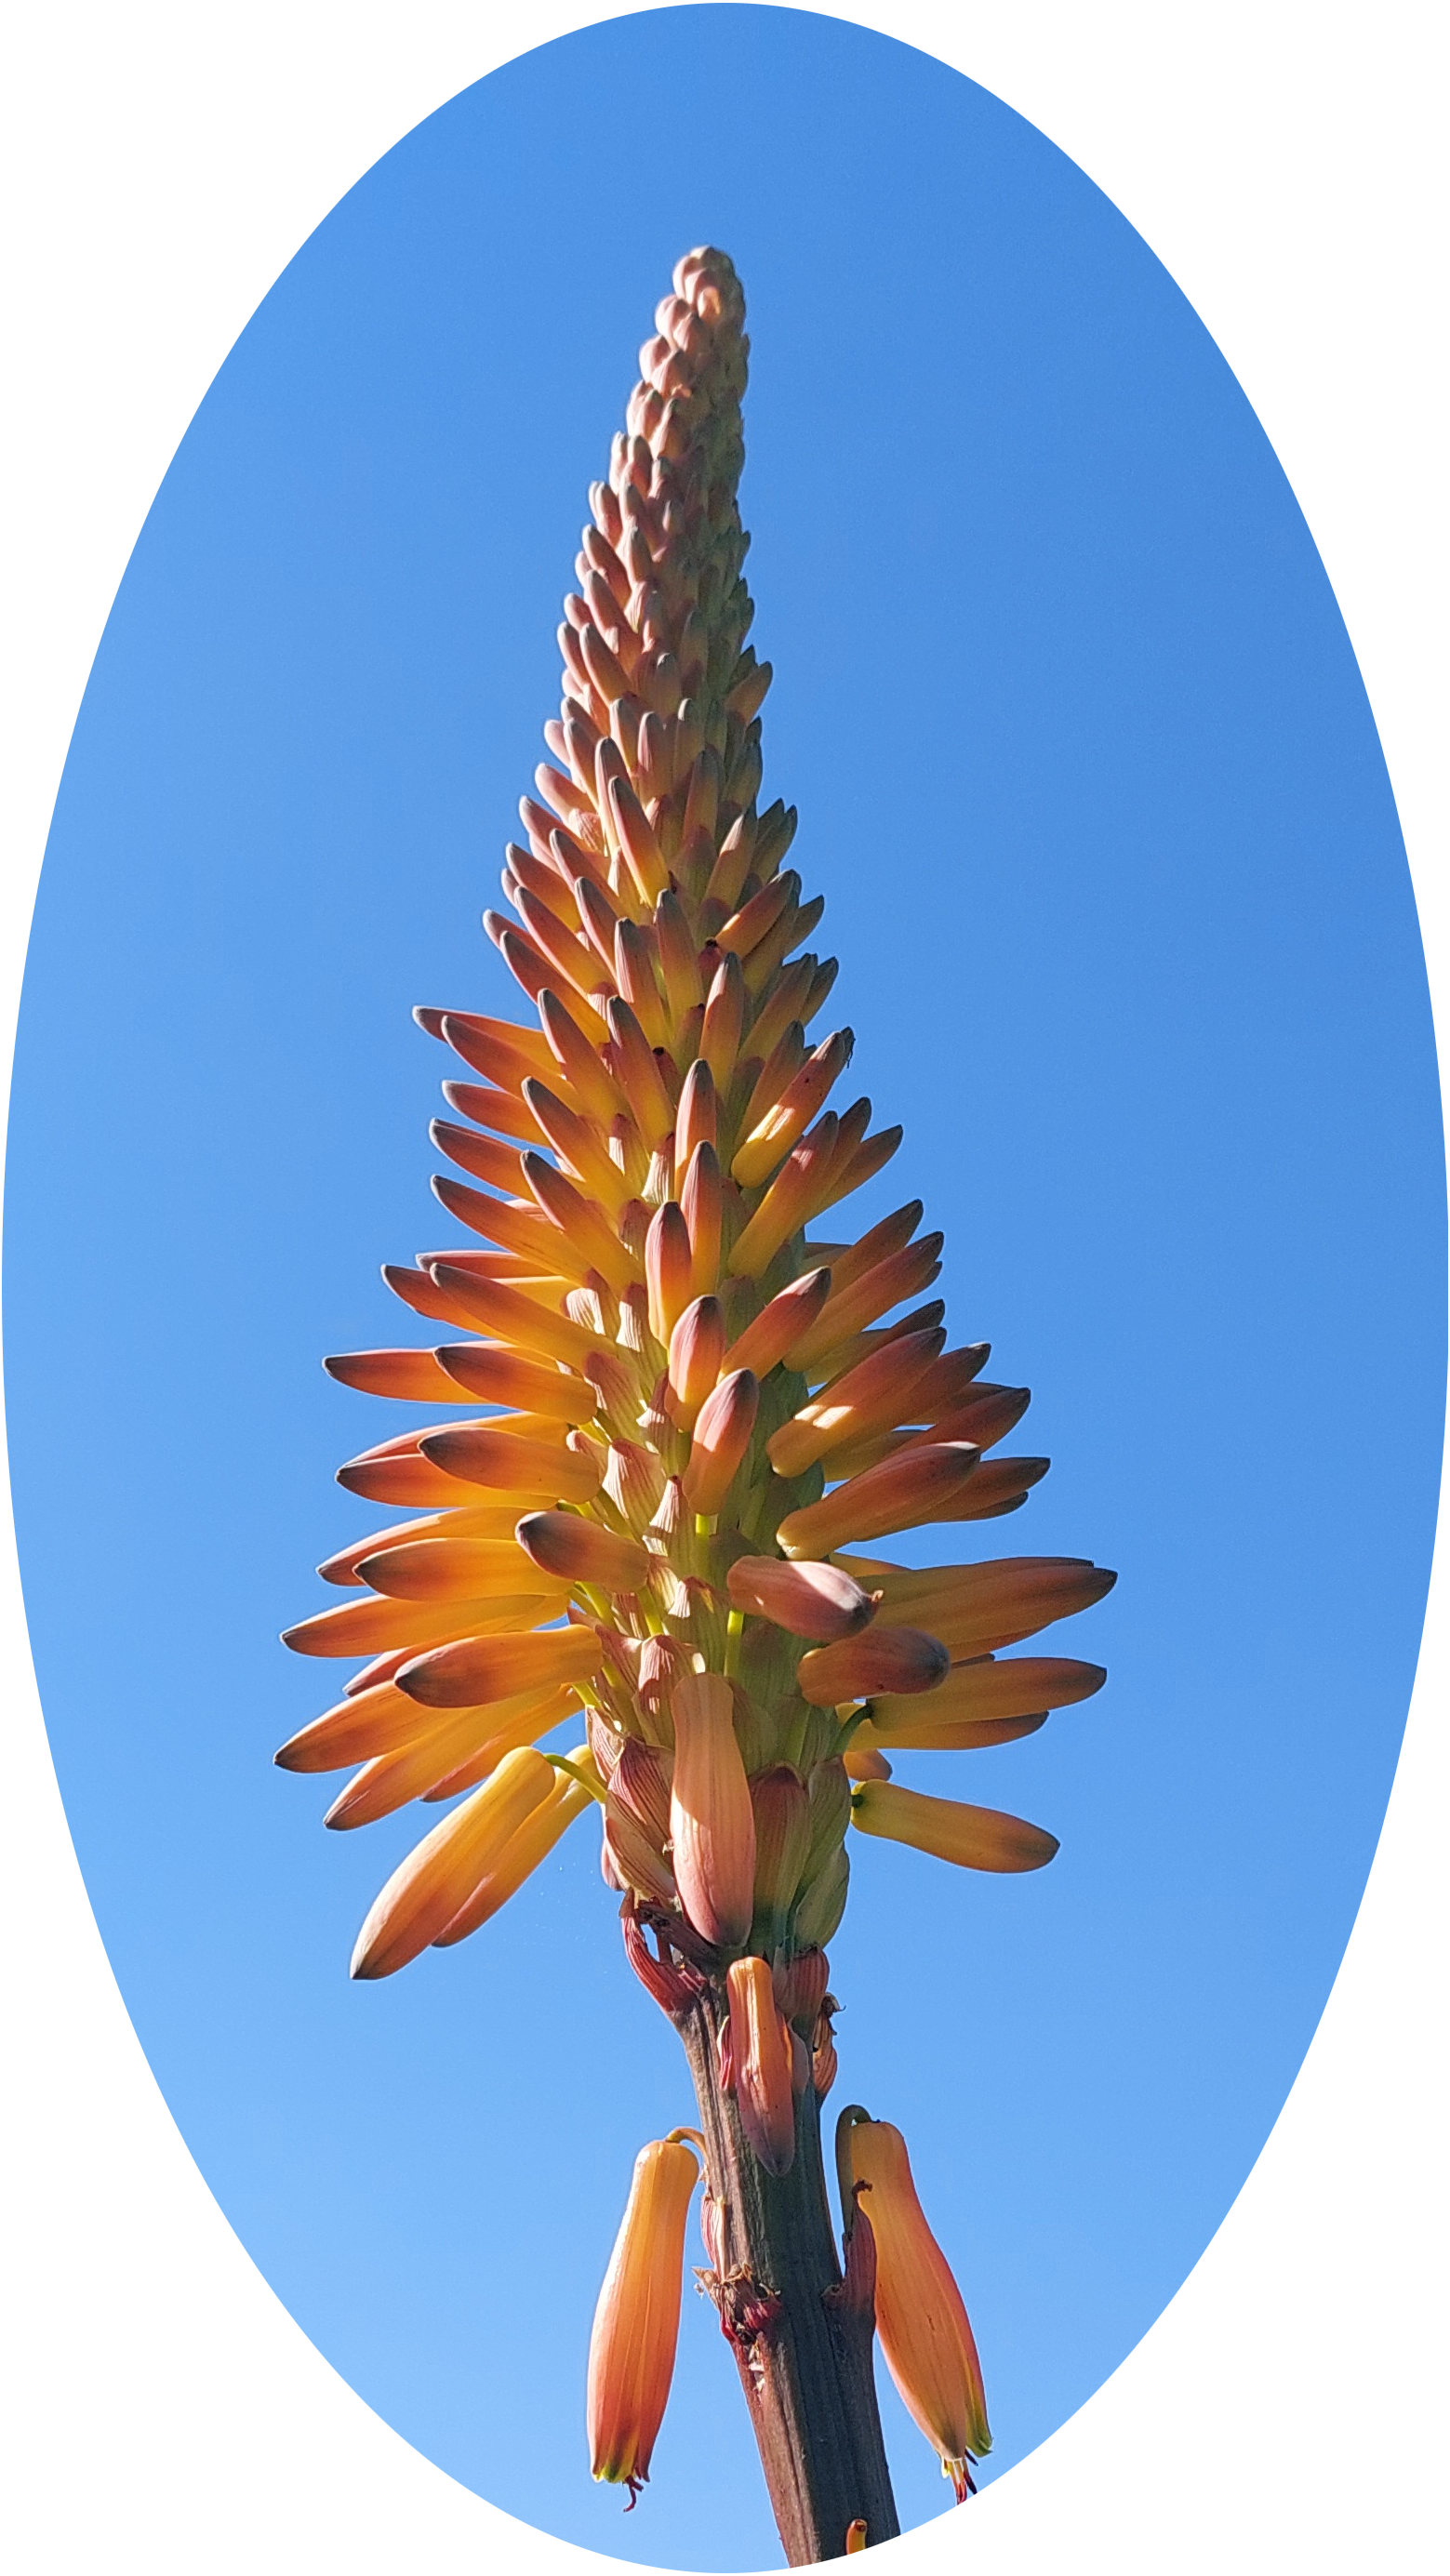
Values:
[(712, 1820)]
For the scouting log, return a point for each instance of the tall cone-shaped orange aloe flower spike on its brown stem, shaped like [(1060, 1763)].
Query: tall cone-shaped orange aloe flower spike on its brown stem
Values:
[(671, 1387)]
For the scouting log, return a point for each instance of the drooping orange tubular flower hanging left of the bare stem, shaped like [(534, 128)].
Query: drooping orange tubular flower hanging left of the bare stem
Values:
[(637, 2320)]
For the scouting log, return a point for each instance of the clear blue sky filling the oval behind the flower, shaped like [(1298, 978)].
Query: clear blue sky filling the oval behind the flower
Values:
[(1111, 862)]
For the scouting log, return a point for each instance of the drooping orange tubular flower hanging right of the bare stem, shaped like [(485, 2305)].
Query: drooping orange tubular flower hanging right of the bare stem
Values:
[(921, 2317)]
